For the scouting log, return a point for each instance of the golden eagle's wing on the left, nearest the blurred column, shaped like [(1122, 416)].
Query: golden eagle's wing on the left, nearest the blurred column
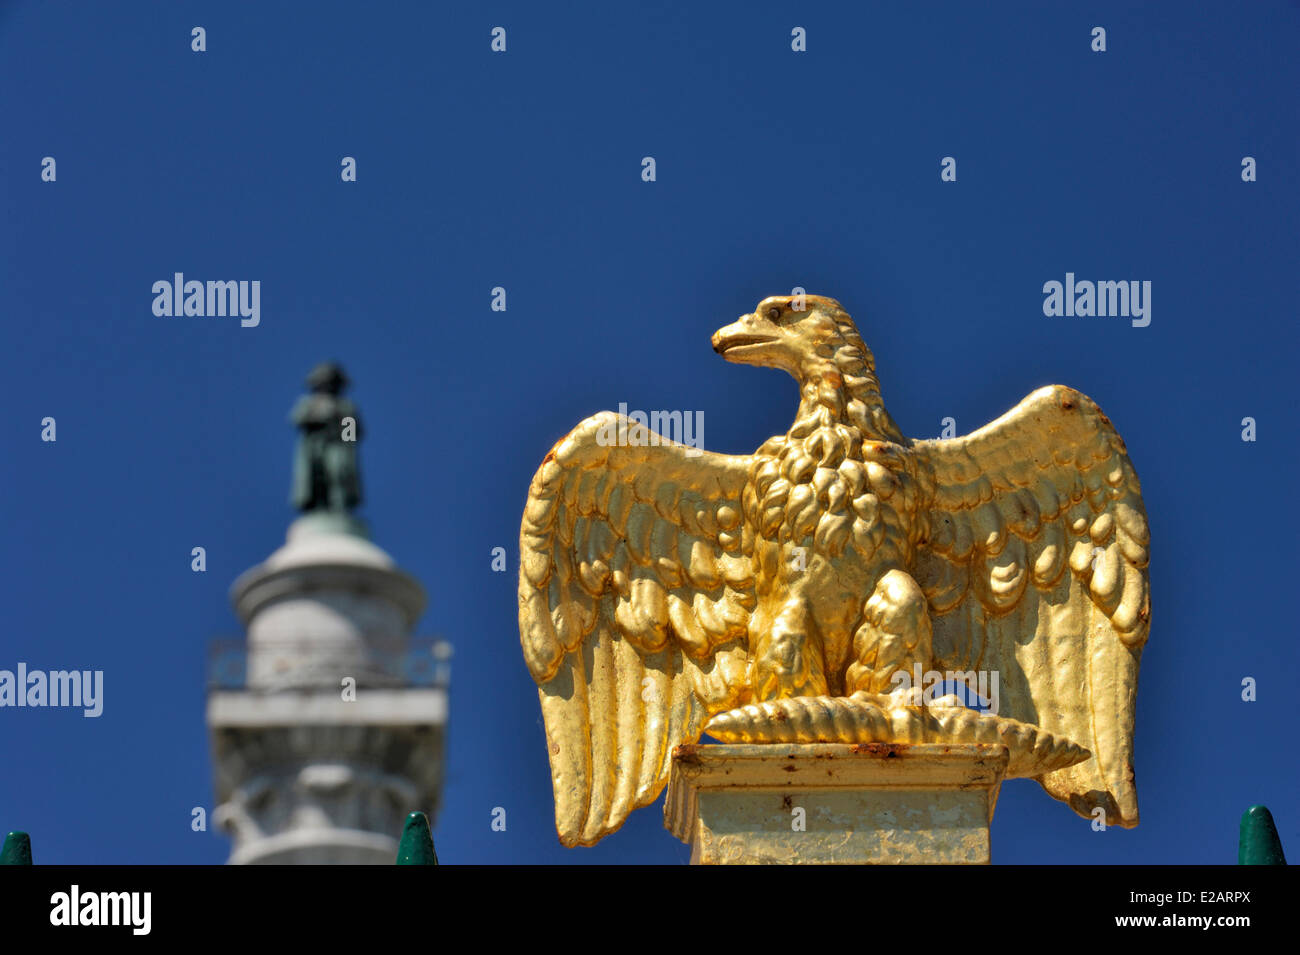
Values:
[(634, 606)]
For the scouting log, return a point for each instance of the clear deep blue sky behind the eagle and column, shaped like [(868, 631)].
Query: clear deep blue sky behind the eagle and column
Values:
[(523, 171)]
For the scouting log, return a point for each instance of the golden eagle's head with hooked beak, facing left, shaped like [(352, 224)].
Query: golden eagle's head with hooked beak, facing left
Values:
[(796, 335)]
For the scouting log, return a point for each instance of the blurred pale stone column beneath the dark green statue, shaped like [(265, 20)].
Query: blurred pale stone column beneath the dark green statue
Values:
[(328, 746)]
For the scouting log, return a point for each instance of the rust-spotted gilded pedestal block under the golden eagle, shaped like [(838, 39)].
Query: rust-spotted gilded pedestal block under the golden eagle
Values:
[(835, 804)]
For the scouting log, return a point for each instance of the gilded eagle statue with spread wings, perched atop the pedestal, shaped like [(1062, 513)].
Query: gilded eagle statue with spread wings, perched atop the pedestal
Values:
[(787, 596)]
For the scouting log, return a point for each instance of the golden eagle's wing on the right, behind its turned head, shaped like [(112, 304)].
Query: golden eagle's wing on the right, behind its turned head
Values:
[(1035, 566)]
